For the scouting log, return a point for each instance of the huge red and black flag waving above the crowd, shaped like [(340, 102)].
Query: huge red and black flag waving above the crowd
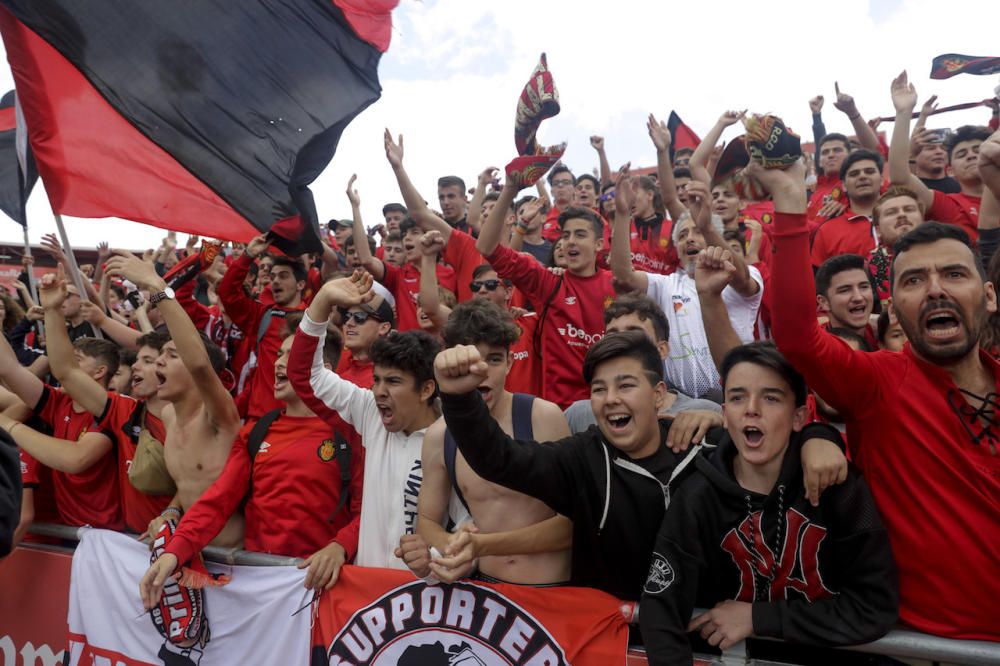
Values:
[(209, 117)]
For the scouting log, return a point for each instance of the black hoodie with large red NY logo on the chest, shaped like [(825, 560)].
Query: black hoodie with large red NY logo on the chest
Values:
[(815, 575)]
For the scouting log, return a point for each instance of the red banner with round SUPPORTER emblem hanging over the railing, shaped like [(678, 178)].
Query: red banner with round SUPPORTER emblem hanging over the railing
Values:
[(379, 617)]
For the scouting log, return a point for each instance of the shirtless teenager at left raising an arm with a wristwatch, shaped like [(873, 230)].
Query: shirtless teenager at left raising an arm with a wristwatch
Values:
[(200, 418)]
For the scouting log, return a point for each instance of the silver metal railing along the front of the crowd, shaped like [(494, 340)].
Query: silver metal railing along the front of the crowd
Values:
[(899, 643)]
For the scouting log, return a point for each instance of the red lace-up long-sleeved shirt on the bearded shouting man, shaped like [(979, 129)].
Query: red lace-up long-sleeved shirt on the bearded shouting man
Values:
[(938, 491)]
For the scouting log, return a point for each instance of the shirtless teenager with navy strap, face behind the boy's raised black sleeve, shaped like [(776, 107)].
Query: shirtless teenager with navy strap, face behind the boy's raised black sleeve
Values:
[(534, 545)]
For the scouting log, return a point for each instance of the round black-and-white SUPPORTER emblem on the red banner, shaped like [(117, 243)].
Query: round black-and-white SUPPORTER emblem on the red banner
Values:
[(454, 625)]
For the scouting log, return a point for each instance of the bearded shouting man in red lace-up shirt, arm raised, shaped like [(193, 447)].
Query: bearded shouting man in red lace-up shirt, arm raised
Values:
[(920, 422)]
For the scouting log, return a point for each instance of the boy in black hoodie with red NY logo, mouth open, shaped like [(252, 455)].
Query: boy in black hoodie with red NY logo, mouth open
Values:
[(740, 535)]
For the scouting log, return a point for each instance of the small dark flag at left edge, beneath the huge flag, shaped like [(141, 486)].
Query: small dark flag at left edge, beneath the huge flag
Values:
[(17, 166)]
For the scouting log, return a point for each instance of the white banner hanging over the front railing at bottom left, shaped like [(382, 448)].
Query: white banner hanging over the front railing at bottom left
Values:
[(250, 618)]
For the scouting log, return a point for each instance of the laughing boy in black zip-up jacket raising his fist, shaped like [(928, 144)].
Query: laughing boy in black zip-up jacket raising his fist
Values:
[(614, 480)]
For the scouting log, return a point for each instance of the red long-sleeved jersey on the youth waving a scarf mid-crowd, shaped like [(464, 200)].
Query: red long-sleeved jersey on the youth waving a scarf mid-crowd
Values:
[(571, 313)]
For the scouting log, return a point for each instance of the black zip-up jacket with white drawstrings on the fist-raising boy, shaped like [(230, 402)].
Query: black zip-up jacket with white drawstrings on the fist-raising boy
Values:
[(616, 505)]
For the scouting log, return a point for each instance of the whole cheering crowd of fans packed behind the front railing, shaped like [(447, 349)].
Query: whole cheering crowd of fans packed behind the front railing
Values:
[(770, 393)]
